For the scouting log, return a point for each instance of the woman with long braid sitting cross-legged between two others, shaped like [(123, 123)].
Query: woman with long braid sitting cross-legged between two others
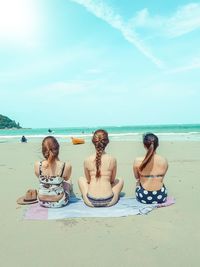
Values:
[(99, 187)]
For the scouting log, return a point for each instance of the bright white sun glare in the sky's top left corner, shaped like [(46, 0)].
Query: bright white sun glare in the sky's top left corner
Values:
[(18, 20)]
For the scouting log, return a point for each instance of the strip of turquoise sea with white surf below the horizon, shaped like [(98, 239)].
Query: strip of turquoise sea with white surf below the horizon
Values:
[(178, 132)]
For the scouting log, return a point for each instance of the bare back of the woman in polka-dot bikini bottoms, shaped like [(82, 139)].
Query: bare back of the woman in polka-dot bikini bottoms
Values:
[(151, 177)]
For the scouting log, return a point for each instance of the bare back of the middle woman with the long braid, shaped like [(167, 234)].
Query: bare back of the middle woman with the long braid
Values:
[(100, 187)]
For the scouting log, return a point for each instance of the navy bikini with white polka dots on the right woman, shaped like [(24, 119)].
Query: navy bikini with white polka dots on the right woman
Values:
[(151, 197)]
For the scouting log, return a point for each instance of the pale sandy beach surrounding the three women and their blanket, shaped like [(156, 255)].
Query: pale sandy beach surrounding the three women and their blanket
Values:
[(165, 237)]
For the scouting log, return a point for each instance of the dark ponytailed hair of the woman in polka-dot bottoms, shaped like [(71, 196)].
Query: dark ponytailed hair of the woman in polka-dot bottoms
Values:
[(150, 142)]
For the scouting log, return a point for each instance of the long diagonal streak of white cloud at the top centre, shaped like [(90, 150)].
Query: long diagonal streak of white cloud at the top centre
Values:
[(106, 13)]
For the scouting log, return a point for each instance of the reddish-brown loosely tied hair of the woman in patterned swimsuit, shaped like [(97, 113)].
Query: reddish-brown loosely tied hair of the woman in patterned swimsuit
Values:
[(50, 148)]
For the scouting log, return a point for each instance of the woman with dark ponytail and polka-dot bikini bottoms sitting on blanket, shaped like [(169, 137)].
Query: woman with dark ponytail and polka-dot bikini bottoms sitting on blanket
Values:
[(149, 172)]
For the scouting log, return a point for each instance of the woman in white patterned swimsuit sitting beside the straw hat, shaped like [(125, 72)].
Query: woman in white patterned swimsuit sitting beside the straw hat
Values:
[(54, 176)]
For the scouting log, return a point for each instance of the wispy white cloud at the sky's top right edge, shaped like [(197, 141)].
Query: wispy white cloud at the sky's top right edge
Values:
[(185, 20)]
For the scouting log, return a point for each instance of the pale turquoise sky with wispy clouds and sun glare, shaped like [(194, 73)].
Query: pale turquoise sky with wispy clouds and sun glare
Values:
[(99, 62)]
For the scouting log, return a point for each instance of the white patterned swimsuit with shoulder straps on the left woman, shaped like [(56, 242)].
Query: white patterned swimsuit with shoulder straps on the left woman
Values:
[(52, 186)]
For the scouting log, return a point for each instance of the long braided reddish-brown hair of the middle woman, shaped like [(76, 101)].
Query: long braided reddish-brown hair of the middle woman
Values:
[(100, 141)]
